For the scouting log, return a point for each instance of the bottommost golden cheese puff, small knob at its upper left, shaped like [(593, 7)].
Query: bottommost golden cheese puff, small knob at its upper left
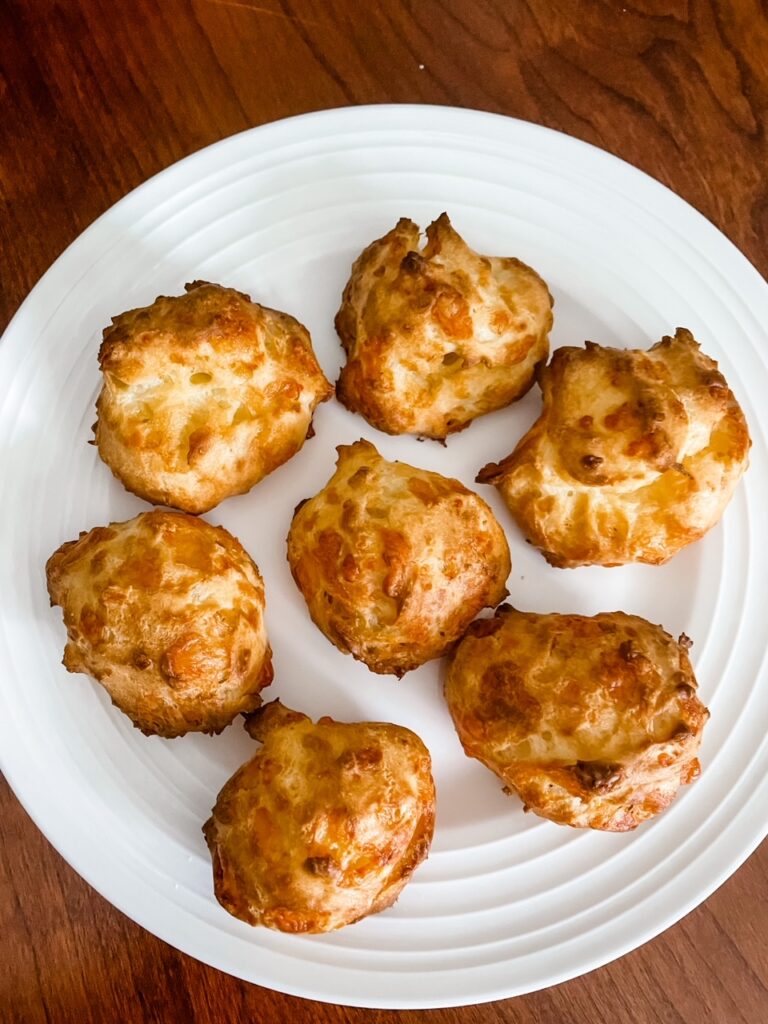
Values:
[(324, 826)]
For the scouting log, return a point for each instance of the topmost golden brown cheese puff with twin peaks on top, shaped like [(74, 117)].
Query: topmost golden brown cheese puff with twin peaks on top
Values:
[(438, 338)]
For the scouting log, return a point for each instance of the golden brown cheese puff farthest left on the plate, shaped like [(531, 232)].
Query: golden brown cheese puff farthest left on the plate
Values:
[(167, 613)]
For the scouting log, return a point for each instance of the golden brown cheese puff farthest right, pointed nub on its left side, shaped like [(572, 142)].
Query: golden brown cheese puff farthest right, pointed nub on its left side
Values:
[(636, 454)]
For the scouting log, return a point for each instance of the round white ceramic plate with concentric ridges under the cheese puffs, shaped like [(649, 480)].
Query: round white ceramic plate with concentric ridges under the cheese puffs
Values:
[(507, 904)]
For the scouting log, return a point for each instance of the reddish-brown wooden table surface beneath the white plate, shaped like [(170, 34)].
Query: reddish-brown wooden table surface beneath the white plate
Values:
[(100, 95)]
